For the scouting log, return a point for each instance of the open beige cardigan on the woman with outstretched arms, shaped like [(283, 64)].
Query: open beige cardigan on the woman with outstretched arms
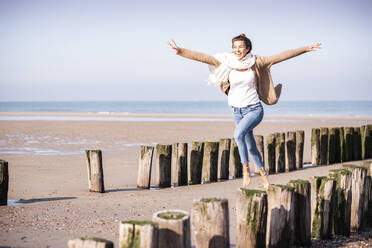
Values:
[(264, 84)]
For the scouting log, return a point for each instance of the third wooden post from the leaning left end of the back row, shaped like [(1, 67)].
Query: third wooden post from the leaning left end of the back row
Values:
[(179, 164)]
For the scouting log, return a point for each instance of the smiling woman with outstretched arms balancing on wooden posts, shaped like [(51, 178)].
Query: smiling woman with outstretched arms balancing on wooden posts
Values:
[(246, 80)]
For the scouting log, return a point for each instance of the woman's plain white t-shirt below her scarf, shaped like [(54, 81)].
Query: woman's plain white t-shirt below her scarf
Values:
[(242, 91)]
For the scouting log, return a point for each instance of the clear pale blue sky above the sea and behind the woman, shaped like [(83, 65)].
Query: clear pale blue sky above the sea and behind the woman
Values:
[(75, 50)]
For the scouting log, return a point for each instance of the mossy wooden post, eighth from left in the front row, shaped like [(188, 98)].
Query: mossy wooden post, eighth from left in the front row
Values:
[(323, 195)]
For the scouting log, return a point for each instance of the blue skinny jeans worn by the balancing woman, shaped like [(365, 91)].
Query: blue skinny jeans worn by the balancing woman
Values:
[(246, 119)]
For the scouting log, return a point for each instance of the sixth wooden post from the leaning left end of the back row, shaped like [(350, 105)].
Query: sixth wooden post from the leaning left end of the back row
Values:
[(223, 159)]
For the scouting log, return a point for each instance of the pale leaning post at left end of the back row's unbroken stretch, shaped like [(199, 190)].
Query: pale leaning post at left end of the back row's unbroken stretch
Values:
[(144, 167)]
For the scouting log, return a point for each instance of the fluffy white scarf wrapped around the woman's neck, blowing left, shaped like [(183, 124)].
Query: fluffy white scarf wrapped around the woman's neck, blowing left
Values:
[(229, 62)]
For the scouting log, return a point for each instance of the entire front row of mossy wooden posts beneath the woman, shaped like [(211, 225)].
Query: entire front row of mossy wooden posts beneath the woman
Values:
[(284, 216)]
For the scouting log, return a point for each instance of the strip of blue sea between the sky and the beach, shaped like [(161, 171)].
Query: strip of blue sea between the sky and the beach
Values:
[(282, 108)]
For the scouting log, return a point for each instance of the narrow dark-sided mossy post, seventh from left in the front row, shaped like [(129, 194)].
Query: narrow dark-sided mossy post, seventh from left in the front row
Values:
[(302, 212)]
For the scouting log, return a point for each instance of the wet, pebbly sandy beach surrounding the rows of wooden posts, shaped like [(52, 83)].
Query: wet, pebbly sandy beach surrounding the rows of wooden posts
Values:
[(48, 171)]
